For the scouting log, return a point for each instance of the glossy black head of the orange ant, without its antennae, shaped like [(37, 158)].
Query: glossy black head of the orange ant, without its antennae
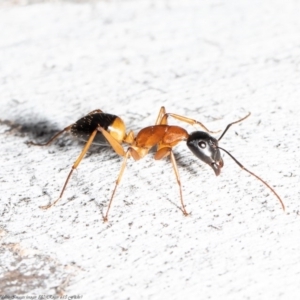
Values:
[(205, 147)]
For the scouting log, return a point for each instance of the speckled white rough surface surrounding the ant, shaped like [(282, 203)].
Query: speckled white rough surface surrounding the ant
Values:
[(210, 60)]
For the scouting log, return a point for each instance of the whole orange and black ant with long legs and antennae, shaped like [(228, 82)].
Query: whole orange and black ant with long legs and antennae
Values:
[(108, 129)]
